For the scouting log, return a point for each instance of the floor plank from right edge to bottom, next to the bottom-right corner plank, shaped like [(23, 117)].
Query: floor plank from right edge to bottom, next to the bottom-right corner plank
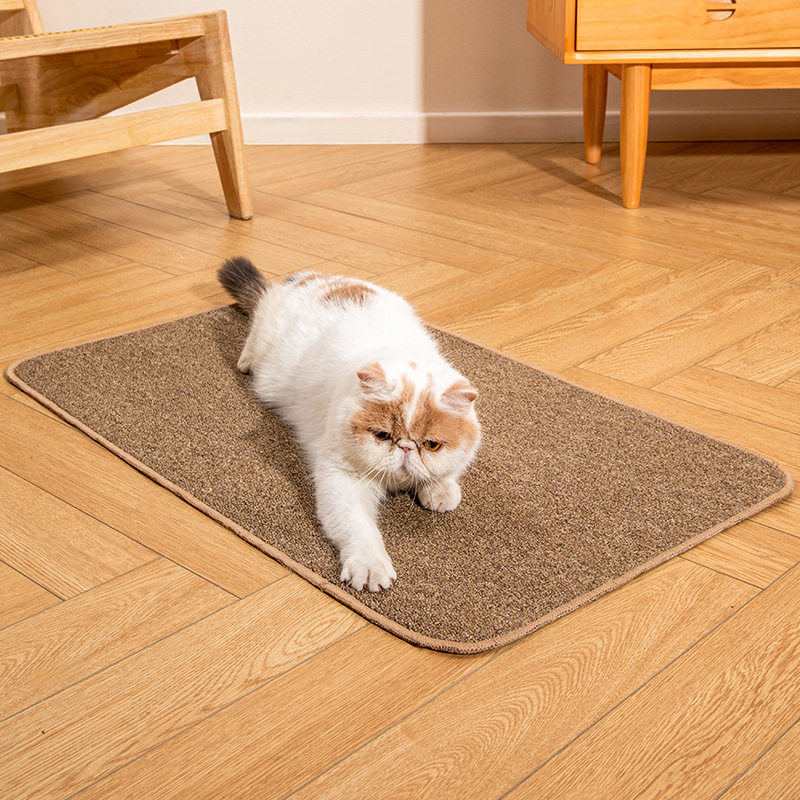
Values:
[(707, 726)]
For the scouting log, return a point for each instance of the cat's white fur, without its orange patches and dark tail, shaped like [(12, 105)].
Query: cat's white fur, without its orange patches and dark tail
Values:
[(304, 353)]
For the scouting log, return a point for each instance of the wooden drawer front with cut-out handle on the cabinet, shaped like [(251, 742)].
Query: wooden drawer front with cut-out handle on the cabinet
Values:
[(686, 24)]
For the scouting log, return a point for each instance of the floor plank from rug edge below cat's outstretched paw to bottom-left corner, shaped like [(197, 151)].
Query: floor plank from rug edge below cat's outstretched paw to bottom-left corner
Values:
[(51, 750)]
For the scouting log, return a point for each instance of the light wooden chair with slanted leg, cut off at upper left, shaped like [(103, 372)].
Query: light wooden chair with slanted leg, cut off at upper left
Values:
[(57, 88)]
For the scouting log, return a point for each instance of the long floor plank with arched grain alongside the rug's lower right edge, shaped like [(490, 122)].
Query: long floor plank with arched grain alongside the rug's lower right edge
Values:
[(518, 703)]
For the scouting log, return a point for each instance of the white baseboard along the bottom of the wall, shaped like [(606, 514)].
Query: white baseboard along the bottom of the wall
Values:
[(565, 126)]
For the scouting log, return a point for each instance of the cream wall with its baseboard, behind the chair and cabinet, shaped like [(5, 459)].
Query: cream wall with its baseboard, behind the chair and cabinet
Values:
[(331, 71)]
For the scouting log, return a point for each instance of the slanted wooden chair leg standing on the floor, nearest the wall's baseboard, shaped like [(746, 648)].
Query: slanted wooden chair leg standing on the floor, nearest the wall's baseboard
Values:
[(216, 80)]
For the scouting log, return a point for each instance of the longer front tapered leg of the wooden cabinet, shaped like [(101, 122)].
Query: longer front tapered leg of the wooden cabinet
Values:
[(633, 130)]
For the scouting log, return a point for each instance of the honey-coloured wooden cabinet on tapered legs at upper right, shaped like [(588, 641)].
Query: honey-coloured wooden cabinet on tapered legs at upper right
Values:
[(665, 44)]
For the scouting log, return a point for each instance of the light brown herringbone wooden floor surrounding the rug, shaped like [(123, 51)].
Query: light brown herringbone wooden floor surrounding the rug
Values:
[(146, 652)]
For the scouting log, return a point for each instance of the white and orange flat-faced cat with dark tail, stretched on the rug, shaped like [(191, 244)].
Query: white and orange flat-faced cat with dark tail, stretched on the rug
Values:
[(375, 408)]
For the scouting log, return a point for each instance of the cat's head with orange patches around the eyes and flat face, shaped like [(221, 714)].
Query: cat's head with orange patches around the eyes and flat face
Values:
[(411, 426)]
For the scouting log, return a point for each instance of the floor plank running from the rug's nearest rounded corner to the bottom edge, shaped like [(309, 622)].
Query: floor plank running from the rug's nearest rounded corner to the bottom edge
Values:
[(284, 717)]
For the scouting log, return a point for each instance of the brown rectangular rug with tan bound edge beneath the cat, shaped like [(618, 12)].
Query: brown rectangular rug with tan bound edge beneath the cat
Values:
[(572, 493)]
